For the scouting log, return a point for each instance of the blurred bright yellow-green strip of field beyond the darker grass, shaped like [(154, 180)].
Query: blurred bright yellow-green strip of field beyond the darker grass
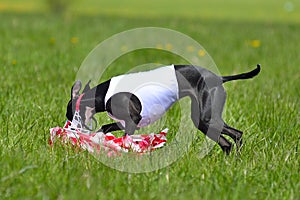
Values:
[(255, 10)]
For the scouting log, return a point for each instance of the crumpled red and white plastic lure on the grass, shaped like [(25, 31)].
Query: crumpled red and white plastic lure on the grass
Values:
[(73, 133)]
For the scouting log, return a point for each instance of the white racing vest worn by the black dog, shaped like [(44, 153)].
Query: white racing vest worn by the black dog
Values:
[(157, 91)]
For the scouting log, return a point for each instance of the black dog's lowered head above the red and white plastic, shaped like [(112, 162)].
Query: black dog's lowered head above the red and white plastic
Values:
[(86, 104)]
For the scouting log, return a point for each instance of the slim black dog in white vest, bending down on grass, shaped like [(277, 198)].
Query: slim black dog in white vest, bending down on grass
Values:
[(138, 99)]
